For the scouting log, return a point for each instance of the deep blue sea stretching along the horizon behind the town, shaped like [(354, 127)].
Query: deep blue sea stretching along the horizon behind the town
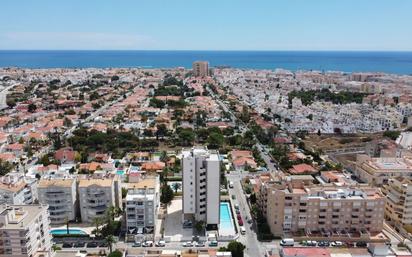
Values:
[(355, 61)]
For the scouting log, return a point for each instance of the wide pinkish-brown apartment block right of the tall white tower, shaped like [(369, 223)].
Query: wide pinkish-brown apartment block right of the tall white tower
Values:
[(326, 209)]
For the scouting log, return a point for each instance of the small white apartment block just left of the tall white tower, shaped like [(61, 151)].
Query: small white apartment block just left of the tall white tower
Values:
[(142, 203)]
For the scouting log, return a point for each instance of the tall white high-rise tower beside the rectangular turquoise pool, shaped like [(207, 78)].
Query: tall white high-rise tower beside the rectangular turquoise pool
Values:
[(201, 185)]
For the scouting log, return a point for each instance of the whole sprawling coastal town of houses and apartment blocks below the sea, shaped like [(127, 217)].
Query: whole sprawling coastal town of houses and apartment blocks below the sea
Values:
[(208, 161)]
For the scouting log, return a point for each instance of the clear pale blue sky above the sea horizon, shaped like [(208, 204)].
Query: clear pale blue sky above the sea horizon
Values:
[(207, 24)]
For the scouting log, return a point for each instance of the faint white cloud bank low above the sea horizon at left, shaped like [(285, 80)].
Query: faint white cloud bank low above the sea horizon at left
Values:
[(75, 41)]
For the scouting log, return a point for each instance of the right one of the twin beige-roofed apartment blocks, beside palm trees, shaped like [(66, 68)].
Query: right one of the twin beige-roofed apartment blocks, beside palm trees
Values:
[(97, 195)]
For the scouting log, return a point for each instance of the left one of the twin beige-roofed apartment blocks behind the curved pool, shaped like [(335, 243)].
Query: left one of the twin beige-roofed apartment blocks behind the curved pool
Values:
[(60, 195)]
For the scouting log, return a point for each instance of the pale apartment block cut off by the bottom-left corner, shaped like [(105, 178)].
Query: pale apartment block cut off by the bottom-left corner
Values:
[(24, 231)]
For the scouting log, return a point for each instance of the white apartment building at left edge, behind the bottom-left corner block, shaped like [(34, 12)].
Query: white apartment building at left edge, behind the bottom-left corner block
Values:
[(15, 188)]
